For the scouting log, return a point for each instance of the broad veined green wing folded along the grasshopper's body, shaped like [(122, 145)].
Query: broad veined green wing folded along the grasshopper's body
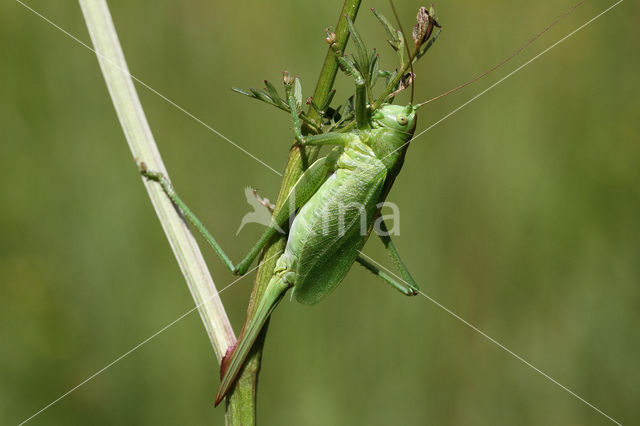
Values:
[(332, 227)]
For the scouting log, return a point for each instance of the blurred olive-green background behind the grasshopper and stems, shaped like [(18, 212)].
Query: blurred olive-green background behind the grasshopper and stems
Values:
[(520, 213)]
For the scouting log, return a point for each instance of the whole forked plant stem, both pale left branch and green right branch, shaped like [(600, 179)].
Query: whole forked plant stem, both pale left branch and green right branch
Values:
[(240, 405)]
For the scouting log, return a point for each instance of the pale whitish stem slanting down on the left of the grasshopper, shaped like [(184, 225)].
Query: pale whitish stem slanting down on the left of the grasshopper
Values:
[(143, 147)]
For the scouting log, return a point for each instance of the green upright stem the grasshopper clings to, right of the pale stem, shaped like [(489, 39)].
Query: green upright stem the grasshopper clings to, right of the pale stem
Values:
[(299, 159)]
